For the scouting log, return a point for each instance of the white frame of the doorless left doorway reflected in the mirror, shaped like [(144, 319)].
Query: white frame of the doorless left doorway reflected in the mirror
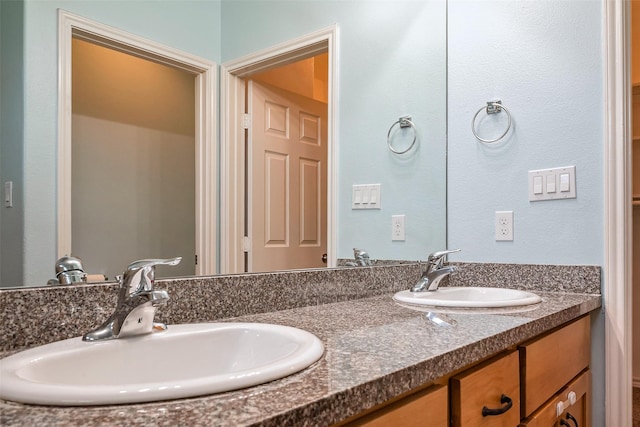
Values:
[(70, 25)]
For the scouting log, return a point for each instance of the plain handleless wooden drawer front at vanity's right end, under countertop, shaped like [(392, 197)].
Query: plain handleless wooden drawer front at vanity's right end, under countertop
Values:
[(550, 362)]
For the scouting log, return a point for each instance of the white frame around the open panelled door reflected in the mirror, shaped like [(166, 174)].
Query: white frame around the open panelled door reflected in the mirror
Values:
[(232, 173)]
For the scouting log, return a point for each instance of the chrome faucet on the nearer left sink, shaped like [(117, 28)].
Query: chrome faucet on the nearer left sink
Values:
[(137, 303)]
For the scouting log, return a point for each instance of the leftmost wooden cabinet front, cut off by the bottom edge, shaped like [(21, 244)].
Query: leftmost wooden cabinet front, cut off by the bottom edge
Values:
[(425, 408)]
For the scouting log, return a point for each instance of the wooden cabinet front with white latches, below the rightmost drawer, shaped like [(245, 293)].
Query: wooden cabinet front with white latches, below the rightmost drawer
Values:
[(547, 415)]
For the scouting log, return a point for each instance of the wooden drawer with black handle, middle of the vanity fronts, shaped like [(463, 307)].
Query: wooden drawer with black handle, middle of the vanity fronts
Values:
[(483, 387)]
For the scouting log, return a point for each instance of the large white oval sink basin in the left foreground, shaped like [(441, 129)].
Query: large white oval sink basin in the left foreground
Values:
[(183, 361)]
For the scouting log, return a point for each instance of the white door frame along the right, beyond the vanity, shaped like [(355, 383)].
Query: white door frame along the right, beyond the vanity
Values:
[(617, 287)]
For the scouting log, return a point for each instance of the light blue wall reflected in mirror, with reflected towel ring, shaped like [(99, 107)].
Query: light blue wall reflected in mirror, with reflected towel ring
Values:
[(392, 62)]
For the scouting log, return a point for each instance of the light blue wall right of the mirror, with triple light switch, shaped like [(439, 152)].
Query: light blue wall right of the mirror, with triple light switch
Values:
[(544, 60)]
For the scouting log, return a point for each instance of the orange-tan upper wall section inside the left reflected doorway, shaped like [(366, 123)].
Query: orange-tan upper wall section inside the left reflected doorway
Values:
[(125, 89)]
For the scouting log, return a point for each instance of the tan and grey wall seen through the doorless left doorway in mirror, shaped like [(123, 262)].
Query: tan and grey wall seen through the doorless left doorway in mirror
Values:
[(133, 151)]
